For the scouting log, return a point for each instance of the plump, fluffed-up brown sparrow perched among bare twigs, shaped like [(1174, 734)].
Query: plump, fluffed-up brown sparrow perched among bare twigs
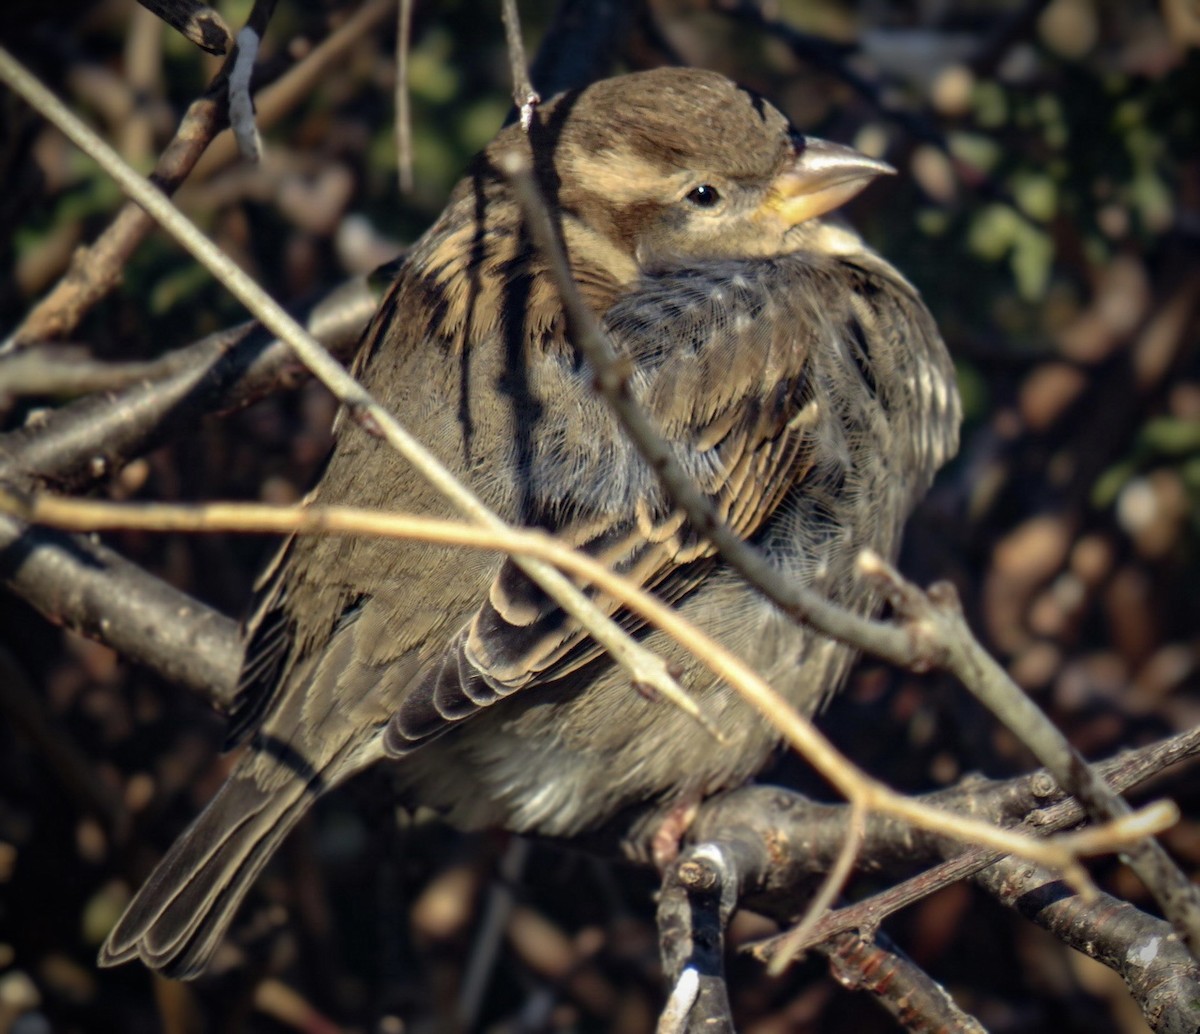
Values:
[(796, 375)]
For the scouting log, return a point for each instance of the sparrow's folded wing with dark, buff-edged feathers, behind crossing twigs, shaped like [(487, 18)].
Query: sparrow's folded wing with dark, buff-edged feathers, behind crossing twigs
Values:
[(719, 357)]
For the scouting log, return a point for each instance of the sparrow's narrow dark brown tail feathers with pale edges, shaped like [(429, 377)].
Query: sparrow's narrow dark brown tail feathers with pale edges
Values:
[(179, 917)]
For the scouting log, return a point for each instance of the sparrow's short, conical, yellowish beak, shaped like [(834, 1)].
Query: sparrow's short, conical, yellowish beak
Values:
[(824, 177)]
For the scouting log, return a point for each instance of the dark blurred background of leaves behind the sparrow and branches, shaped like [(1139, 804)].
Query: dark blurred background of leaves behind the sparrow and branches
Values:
[(1049, 212)]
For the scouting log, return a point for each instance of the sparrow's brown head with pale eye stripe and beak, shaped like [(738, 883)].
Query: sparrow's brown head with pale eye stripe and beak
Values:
[(682, 164)]
